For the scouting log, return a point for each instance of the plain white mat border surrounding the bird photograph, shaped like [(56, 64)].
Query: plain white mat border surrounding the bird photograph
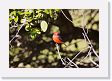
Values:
[(102, 71)]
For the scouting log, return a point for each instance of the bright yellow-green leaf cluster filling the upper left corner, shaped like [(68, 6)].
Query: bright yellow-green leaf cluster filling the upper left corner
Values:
[(36, 20)]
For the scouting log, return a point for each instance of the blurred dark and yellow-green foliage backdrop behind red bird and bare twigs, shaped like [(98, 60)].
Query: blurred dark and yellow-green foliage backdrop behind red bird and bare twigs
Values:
[(31, 44)]
